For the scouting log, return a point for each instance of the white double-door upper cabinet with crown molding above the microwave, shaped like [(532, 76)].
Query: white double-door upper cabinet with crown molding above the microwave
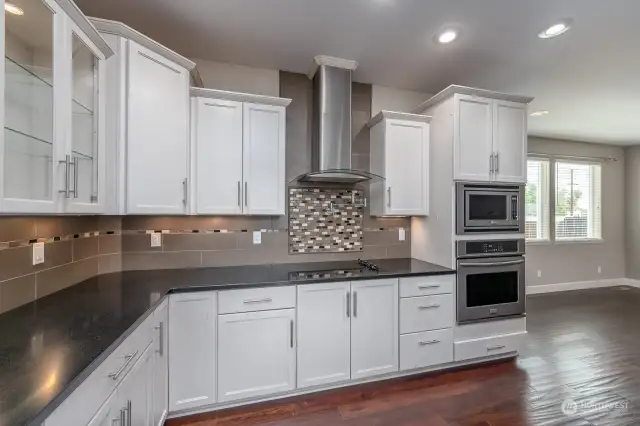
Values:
[(487, 130)]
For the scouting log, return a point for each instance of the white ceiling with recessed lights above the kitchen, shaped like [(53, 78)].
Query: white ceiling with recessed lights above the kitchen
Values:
[(588, 78)]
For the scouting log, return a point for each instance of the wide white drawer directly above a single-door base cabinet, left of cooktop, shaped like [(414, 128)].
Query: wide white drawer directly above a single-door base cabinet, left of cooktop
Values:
[(256, 299)]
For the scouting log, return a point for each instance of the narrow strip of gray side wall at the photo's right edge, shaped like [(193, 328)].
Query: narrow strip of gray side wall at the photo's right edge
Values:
[(632, 211)]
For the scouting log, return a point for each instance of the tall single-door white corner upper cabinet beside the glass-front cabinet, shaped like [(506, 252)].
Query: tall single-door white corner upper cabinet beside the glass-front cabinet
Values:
[(147, 122)]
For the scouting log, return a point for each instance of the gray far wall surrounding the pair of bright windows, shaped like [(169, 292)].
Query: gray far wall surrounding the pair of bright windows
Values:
[(571, 262)]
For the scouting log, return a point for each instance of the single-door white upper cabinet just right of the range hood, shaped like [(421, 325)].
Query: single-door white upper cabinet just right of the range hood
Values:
[(400, 154)]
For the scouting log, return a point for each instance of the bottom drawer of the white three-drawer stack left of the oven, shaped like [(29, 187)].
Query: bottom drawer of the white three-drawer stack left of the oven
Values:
[(418, 350)]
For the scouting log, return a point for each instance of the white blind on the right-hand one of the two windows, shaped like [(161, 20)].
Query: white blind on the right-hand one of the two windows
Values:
[(578, 212)]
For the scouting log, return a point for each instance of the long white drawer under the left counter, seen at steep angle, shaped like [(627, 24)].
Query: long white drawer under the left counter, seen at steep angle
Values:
[(87, 399)]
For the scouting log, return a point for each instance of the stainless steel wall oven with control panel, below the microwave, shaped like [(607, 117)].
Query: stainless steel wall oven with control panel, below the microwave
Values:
[(490, 279)]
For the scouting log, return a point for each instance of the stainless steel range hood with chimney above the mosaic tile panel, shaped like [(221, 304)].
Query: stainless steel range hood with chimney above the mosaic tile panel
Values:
[(331, 143)]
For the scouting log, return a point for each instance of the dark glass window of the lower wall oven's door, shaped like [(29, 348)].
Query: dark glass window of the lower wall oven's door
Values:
[(492, 289)]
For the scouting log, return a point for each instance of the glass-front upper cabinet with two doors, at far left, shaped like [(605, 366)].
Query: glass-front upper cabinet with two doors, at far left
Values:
[(52, 148)]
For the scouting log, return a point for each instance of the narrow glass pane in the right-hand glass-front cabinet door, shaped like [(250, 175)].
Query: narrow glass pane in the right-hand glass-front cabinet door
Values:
[(84, 138)]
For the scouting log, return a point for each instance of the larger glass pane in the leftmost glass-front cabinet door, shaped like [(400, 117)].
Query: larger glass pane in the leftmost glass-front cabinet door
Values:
[(28, 101)]
